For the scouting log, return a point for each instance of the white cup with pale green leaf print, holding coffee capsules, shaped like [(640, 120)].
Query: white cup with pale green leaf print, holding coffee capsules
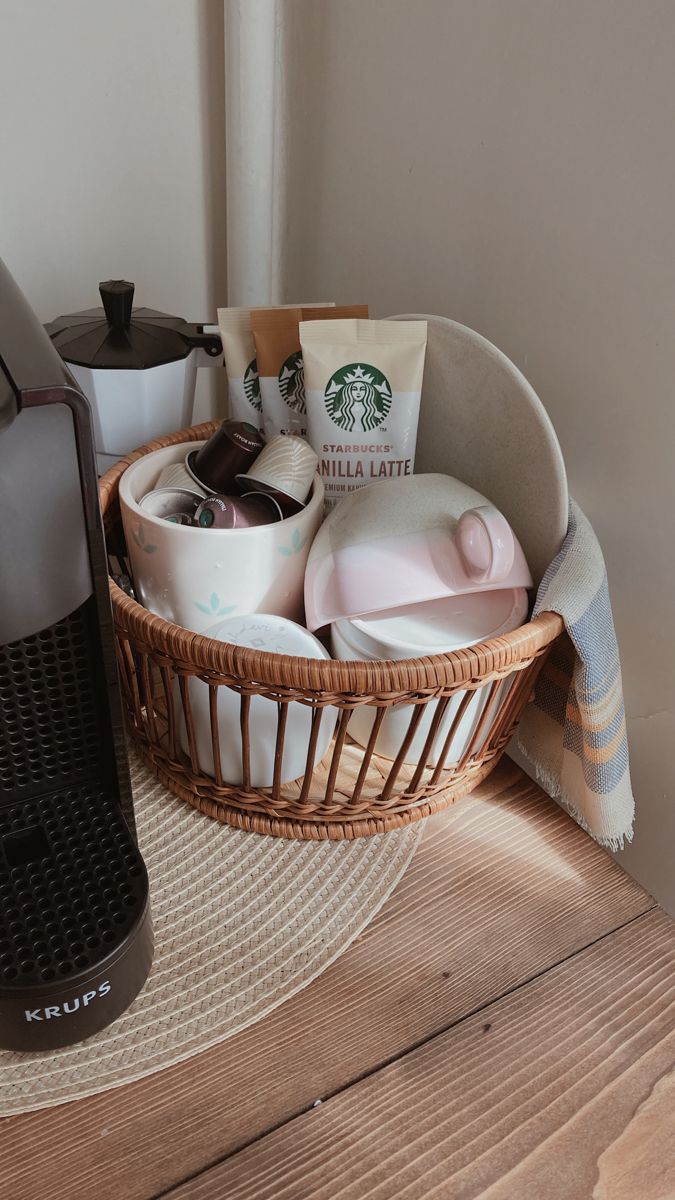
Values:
[(192, 577)]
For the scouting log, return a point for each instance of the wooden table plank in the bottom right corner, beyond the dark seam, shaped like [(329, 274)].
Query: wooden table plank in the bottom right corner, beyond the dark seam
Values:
[(545, 1094)]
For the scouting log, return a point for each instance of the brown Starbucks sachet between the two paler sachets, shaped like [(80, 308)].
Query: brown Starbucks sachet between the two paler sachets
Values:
[(280, 363)]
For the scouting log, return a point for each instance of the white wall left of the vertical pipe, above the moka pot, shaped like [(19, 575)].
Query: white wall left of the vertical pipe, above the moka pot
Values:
[(112, 154)]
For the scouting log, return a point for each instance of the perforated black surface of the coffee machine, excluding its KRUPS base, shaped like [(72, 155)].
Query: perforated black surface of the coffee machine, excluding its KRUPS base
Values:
[(71, 877)]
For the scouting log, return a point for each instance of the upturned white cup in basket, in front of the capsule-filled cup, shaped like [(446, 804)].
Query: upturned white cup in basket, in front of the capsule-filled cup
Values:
[(265, 633)]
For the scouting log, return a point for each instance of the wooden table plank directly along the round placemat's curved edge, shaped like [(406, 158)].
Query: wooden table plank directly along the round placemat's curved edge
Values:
[(504, 887)]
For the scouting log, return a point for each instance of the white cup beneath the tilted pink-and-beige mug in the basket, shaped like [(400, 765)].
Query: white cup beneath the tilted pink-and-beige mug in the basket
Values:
[(416, 632)]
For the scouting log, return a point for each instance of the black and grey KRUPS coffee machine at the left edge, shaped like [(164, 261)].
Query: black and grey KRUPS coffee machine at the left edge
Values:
[(76, 935)]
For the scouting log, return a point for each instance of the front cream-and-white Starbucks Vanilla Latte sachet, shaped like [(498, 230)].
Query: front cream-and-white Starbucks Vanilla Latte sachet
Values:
[(363, 386)]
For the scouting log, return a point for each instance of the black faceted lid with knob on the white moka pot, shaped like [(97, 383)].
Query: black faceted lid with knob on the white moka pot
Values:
[(118, 338)]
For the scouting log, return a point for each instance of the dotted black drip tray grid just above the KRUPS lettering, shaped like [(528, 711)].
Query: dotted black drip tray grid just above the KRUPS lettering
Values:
[(74, 889)]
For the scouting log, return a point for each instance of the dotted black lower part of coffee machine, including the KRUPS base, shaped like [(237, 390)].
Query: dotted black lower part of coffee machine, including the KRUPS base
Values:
[(74, 889)]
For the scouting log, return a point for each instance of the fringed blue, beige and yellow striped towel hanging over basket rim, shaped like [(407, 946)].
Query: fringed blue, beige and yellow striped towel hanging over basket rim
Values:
[(574, 735)]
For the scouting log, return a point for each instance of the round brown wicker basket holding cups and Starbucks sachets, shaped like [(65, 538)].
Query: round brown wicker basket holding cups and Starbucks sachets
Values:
[(353, 791)]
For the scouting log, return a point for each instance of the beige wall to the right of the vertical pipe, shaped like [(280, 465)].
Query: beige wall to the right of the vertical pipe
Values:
[(511, 164)]
